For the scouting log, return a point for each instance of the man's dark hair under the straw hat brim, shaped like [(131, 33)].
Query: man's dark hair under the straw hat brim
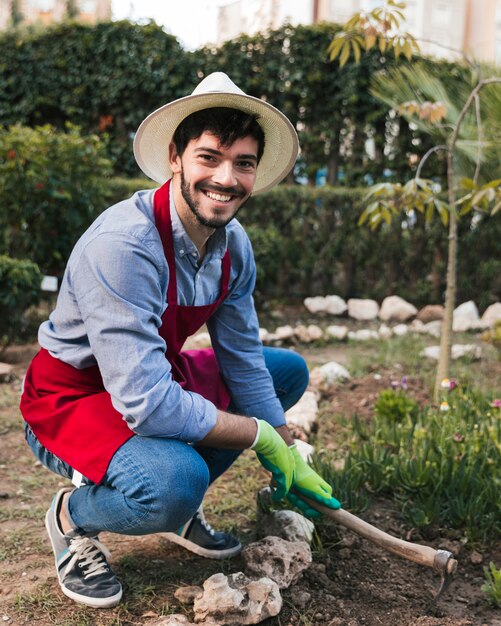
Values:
[(226, 124)]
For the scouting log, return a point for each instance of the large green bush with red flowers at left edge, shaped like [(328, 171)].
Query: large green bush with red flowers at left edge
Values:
[(52, 185)]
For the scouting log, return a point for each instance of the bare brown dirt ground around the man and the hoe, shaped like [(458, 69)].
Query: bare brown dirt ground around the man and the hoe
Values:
[(350, 583)]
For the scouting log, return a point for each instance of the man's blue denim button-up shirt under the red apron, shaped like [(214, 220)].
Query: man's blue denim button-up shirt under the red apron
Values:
[(109, 309)]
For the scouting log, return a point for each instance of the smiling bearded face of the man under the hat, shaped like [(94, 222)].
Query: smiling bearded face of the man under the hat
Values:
[(214, 180)]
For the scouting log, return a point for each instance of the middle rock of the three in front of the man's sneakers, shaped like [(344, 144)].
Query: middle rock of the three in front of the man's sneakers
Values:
[(273, 557)]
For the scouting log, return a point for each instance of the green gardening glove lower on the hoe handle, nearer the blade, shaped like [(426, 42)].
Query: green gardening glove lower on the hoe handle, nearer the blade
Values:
[(308, 483)]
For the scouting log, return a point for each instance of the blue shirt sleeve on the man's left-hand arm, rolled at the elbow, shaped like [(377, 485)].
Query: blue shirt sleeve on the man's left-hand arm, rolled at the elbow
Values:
[(118, 288)]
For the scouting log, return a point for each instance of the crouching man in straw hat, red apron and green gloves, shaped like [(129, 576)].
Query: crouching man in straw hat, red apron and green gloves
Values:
[(111, 402)]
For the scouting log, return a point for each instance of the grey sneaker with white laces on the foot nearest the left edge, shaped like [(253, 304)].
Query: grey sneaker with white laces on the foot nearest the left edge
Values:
[(82, 569)]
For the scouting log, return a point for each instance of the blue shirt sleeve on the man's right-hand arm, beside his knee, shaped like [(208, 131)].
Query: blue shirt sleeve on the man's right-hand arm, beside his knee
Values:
[(234, 331)]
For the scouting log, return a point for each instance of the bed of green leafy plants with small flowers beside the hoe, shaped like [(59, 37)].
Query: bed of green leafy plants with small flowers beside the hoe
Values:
[(443, 467)]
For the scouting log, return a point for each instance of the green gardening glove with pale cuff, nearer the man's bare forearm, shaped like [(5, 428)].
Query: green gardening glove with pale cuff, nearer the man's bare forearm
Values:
[(275, 456)]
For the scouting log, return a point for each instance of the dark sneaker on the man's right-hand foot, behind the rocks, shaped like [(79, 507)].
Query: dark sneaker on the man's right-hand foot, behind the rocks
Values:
[(199, 537)]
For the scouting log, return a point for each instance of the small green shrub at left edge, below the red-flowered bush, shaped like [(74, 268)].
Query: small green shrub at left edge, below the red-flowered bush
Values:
[(19, 288)]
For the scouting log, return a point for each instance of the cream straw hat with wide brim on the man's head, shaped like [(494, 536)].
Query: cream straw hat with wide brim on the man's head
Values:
[(151, 143)]
